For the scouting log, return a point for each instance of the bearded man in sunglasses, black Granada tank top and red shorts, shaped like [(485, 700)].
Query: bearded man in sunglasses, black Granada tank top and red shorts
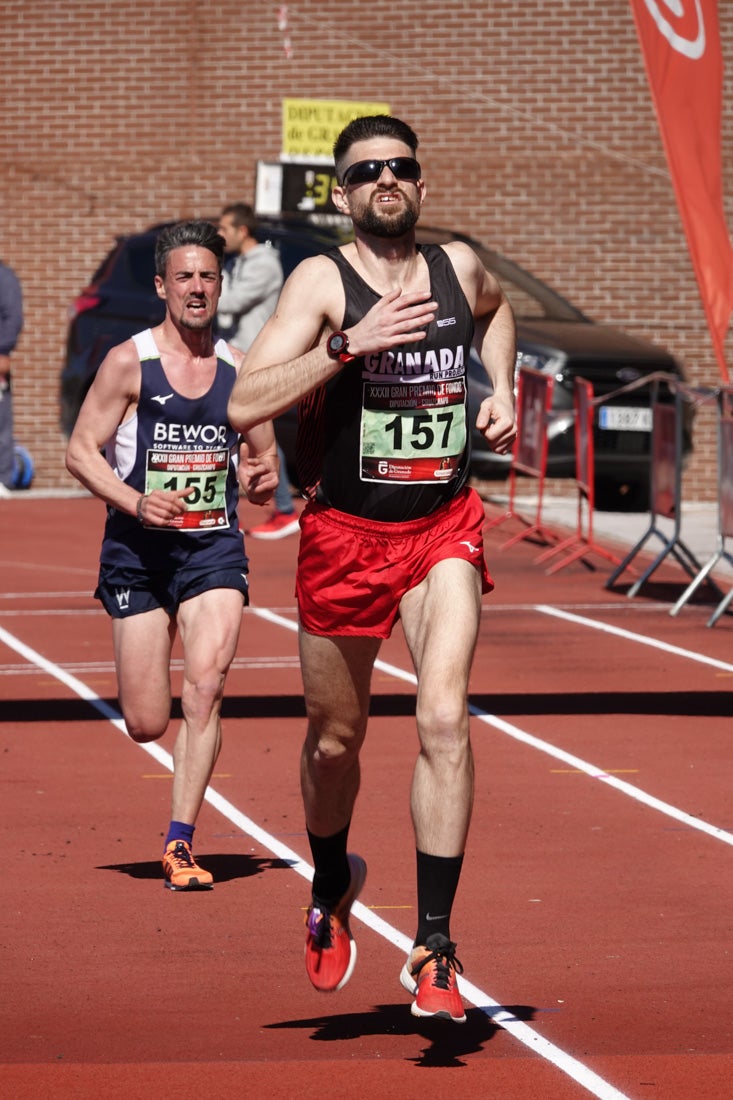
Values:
[(375, 344)]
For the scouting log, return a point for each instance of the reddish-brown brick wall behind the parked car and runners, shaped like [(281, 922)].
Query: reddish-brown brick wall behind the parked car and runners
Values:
[(539, 133)]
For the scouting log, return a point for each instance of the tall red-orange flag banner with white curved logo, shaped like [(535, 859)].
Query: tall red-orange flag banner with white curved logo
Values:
[(681, 43)]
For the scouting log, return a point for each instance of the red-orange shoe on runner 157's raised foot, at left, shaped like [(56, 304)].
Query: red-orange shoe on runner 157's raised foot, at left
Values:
[(331, 950)]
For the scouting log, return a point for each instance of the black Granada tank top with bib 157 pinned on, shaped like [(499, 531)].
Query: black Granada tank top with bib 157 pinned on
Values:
[(388, 438)]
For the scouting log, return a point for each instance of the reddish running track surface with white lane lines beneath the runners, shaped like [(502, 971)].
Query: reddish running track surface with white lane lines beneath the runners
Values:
[(594, 918)]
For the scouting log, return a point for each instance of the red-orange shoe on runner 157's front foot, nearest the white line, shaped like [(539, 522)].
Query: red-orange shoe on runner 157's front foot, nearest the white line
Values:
[(431, 974)]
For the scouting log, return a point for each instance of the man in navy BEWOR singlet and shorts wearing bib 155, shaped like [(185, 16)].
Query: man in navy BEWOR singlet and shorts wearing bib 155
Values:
[(154, 442)]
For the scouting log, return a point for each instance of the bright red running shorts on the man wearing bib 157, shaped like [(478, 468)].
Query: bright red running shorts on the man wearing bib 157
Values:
[(354, 573)]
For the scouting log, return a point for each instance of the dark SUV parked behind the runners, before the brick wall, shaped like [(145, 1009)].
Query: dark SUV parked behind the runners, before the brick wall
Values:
[(553, 337)]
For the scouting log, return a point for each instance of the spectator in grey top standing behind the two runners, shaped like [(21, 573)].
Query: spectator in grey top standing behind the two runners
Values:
[(253, 280)]
